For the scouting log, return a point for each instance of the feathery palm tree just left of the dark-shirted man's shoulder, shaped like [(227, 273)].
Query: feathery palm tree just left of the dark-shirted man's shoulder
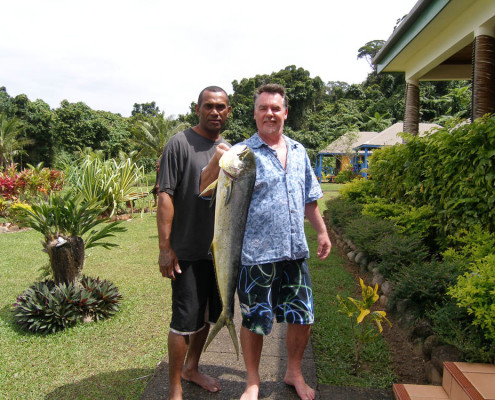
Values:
[(151, 134)]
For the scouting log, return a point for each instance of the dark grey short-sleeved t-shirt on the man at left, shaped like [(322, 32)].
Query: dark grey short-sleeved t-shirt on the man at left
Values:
[(184, 157)]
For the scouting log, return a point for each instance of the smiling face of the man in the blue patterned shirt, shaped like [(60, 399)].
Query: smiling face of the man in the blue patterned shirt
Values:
[(270, 113)]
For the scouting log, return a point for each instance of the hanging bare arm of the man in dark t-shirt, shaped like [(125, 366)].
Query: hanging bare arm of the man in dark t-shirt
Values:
[(167, 260)]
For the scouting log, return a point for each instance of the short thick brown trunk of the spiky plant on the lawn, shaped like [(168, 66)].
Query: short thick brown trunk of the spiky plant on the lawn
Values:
[(66, 259)]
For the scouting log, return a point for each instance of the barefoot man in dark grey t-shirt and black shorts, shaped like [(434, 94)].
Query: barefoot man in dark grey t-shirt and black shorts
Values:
[(185, 230)]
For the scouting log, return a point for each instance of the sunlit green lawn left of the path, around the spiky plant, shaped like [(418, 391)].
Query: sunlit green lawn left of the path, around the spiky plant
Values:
[(104, 360)]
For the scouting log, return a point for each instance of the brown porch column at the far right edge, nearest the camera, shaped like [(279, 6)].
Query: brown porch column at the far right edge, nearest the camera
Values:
[(483, 101)]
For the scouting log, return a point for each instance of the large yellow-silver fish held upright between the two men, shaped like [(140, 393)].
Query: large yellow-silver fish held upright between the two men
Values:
[(234, 188)]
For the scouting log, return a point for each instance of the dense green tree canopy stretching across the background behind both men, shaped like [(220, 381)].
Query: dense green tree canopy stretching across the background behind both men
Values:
[(319, 113)]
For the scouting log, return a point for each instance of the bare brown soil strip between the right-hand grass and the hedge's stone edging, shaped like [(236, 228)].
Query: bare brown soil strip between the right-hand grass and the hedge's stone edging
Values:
[(408, 367)]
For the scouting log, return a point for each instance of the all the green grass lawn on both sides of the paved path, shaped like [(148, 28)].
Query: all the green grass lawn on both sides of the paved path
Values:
[(114, 359)]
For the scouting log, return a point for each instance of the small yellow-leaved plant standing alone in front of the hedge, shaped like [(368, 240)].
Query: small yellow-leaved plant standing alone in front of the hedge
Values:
[(362, 332)]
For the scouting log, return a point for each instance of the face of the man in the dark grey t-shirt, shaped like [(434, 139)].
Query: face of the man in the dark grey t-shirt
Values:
[(213, 111)]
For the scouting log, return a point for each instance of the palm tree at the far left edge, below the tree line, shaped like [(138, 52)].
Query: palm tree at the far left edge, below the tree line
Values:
[(11, 142)]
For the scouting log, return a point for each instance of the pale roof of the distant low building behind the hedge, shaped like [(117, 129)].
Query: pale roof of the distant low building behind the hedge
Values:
[(387, 137)]
